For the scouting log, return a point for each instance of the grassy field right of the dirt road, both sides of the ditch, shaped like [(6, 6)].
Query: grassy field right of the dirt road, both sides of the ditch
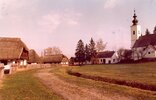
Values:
[(144, 73)]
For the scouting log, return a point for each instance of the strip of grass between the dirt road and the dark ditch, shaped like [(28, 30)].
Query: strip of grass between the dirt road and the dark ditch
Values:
[(103, 87)]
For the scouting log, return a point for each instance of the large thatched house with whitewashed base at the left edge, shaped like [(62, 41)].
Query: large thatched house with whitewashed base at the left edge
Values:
[(13, 50)]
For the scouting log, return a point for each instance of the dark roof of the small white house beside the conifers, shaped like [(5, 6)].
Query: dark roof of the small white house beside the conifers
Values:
[(105, 54)]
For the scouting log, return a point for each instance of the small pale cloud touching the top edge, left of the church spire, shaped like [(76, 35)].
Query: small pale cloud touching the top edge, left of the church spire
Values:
[(110, 3)]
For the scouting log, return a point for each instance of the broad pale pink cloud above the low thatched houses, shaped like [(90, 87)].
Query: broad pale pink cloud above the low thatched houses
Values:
[(52, 21)]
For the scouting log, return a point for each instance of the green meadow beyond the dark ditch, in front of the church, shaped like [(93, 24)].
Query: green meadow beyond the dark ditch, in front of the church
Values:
[(144, 73)]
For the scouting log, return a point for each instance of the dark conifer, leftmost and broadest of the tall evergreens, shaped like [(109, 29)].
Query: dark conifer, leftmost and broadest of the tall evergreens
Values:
[(80, 52)]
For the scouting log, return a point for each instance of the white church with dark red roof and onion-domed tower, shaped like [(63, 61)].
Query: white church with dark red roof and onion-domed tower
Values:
[(142, 46)]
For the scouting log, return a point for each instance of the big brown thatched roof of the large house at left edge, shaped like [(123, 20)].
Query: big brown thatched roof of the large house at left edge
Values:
[(12, 48)]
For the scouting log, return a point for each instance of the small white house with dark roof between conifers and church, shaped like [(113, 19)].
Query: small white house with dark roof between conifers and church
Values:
[(107, 57)]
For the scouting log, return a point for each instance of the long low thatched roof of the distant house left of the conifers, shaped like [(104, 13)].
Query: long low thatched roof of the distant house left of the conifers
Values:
[(53, 58)]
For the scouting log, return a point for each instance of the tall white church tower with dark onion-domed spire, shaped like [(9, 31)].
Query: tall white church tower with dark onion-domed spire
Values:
[(135, 30)]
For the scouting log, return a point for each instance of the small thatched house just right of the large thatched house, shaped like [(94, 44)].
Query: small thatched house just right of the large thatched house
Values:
[(33, 57)]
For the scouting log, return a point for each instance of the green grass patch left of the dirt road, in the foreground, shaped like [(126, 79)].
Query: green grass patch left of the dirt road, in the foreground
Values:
[(24, 86)]
